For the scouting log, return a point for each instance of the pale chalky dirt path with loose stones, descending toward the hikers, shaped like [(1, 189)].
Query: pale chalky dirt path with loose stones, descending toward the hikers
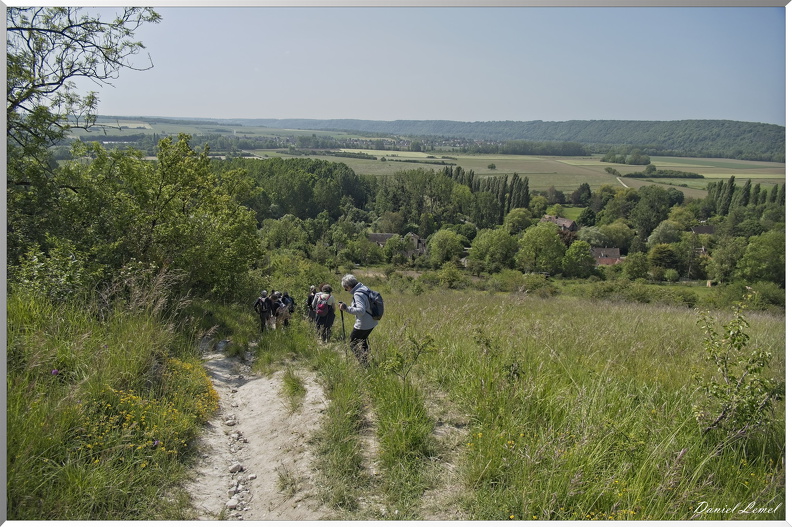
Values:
[(255, 462)]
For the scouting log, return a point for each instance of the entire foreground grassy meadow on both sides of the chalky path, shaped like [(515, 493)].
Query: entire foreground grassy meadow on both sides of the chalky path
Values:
[(477, 406)]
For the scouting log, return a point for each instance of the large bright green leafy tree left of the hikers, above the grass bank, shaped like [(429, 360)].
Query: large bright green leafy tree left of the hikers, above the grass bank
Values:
[(176, 212)]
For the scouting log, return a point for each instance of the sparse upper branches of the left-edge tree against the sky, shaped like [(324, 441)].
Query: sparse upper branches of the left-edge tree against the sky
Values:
[(48, 49)]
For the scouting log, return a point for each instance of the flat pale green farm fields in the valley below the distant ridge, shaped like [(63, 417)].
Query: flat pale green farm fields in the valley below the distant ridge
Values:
[(564, 173)]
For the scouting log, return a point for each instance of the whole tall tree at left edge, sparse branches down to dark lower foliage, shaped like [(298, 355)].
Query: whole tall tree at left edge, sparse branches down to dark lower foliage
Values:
[(47, 50)]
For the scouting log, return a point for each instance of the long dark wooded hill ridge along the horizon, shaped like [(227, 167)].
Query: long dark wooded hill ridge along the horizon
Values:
[(697, 138)]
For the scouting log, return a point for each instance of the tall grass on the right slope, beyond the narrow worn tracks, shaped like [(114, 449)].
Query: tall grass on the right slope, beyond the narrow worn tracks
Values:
[(584, 410)]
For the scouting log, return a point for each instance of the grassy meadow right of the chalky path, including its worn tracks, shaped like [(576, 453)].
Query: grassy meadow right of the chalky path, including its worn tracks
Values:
[(505, 406)]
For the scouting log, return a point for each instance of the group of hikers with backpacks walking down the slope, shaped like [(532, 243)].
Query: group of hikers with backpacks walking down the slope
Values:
[(320, 309)]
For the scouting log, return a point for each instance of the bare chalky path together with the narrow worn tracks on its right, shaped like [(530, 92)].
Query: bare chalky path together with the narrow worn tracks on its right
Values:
[(255, 461)]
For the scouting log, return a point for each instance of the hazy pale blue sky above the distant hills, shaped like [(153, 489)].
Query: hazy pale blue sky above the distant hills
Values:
[(460, 63)]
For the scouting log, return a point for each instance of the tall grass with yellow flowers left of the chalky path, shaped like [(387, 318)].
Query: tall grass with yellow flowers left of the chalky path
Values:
[(102, 410)]
